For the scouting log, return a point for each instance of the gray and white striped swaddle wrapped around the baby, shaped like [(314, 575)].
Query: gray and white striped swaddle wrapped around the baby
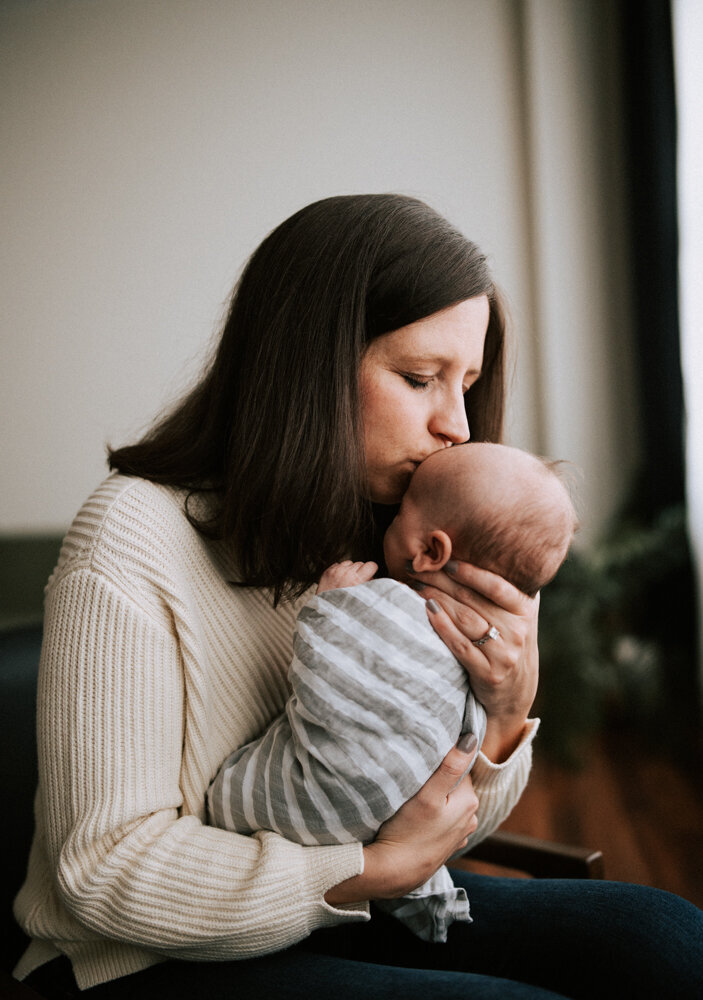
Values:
[(377, 702)]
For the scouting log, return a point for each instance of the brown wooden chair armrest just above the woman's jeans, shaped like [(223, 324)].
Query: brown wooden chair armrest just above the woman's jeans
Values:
[(541, 858)]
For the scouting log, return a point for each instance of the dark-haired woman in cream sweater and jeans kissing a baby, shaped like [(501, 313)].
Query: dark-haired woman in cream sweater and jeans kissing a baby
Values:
[(365, 334)]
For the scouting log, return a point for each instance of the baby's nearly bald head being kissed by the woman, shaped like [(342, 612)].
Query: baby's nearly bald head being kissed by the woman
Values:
[(497, 507)]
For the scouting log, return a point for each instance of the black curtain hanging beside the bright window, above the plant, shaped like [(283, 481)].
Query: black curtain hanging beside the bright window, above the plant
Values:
[(650, 135)]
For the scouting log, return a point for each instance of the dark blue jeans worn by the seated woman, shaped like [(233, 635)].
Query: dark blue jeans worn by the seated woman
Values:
[(536, 938)]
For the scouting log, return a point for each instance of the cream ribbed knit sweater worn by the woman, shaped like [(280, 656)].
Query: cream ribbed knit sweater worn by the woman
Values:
[(153, 669)]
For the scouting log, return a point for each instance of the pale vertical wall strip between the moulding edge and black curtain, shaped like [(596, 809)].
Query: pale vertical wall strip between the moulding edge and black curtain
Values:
[(583, 335)]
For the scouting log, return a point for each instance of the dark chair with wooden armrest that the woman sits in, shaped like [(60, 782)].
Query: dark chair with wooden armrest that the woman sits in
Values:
[(19, 657)]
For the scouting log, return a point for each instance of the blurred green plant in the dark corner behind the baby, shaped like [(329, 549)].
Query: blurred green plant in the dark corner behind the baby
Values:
[(617, 638)]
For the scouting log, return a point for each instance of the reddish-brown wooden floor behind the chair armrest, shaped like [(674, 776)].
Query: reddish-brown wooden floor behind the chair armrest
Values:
[(640, 810)]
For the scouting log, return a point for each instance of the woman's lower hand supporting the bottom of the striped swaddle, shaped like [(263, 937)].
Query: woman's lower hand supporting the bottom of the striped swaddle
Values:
[(409, 848)]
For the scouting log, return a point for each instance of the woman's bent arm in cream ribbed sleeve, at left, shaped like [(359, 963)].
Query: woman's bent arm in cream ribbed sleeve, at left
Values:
[(129, 865)]
